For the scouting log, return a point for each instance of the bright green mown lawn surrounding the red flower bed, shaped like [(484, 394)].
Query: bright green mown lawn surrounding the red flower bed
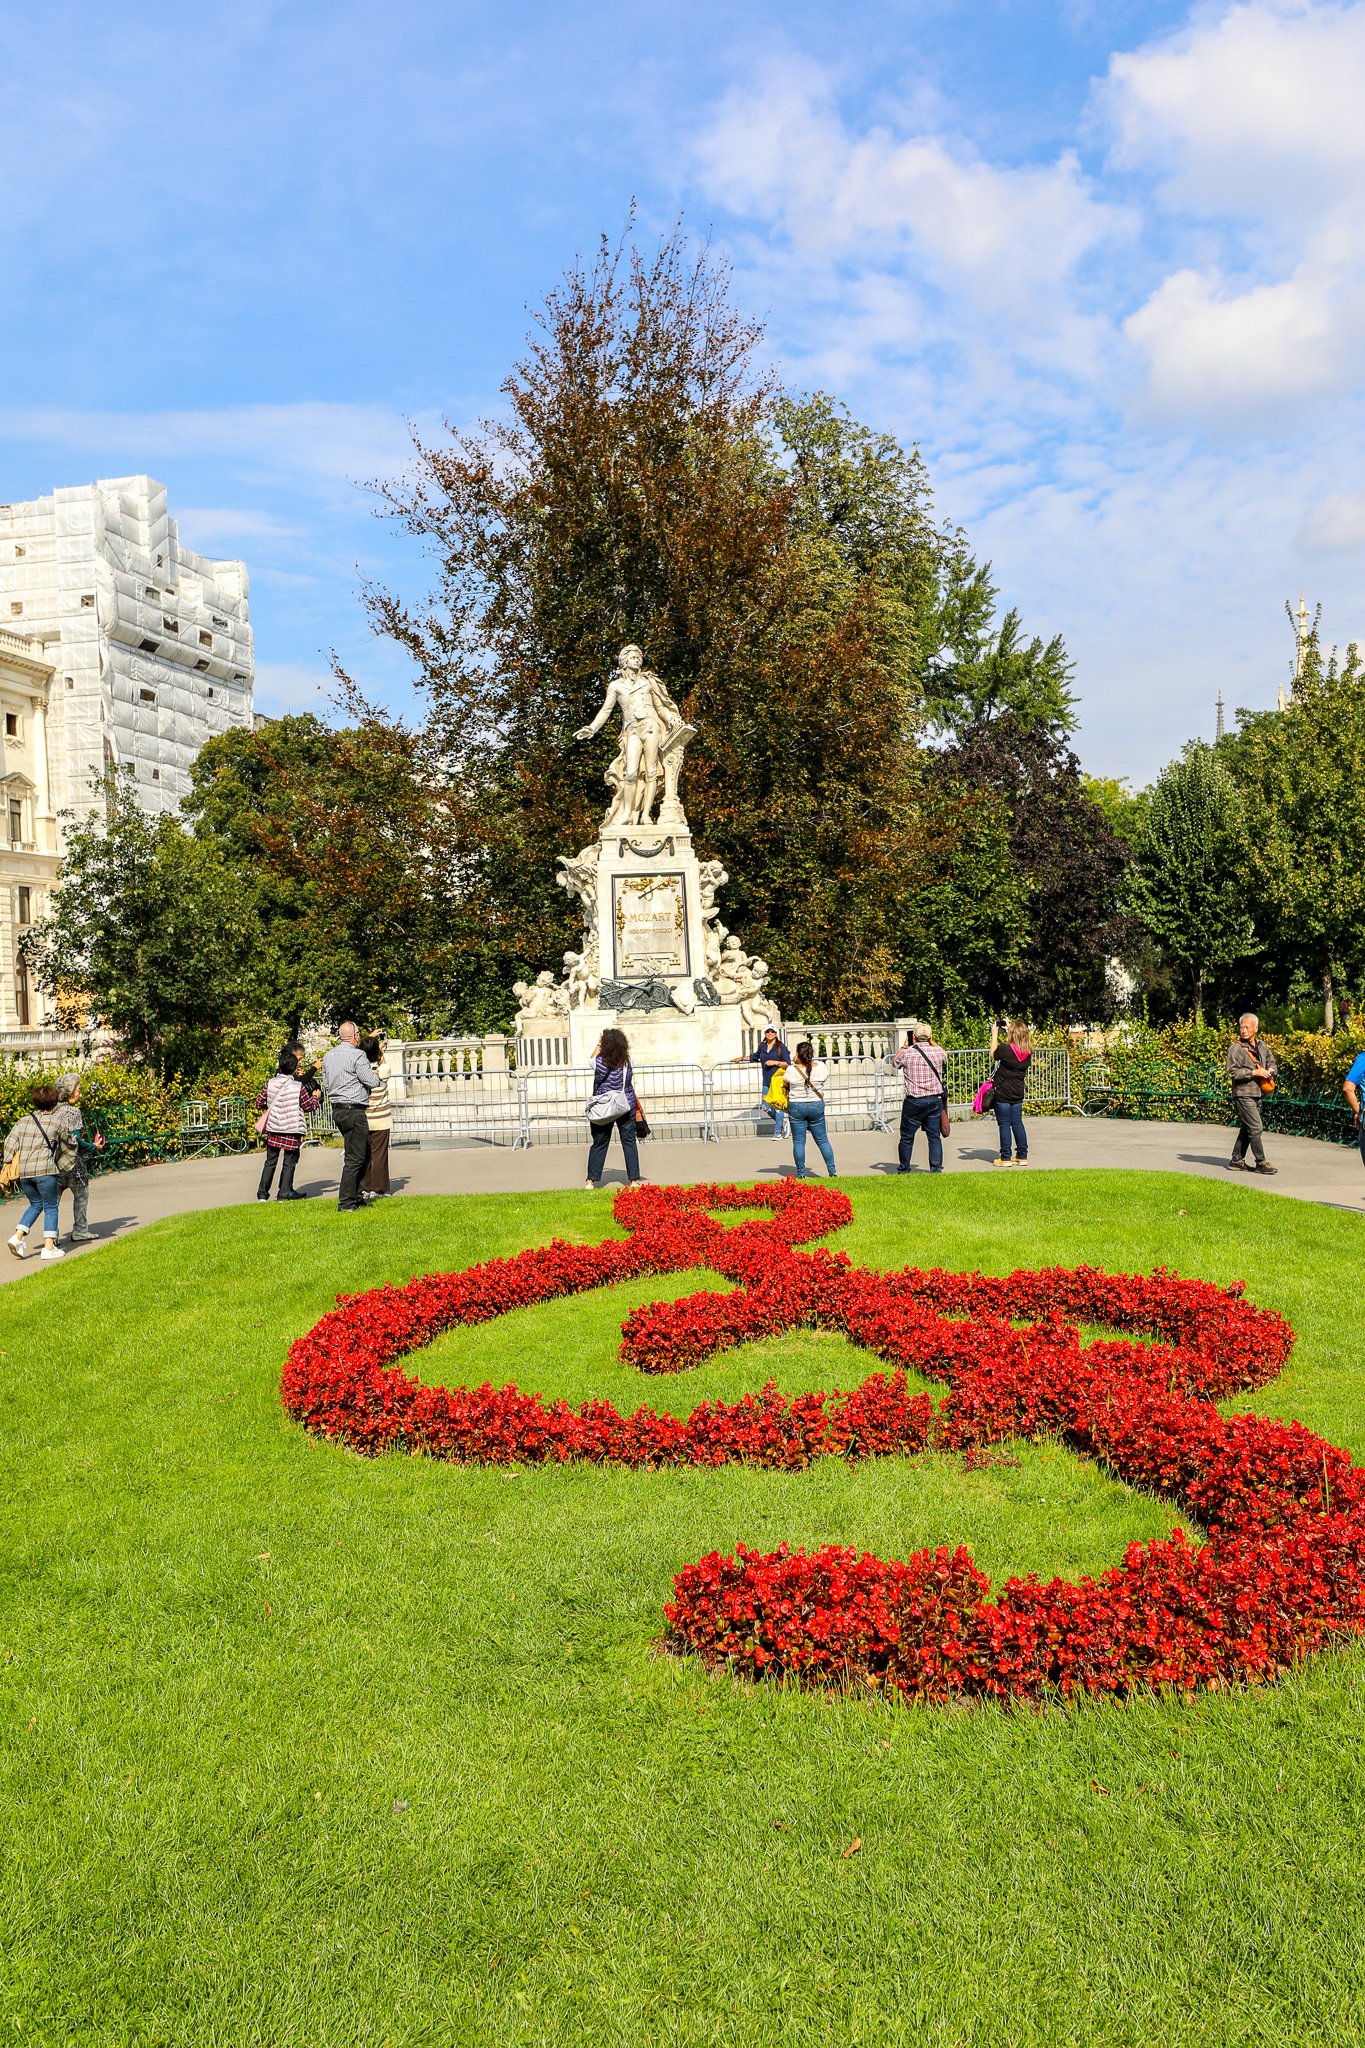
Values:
[(310, 1750)]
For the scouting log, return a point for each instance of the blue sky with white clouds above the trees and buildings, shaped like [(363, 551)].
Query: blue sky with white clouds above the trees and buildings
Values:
[(1104, 263)]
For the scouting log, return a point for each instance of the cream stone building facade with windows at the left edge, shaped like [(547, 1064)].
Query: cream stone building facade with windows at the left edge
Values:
[(30, 857)]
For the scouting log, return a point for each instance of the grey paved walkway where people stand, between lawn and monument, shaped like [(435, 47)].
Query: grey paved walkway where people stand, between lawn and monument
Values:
[(120, 1203)]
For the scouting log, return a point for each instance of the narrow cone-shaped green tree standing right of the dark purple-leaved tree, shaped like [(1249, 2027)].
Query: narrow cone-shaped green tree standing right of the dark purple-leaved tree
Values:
[(1188, 884)]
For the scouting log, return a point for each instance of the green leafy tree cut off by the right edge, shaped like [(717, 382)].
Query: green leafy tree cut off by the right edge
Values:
[(1298, 773)]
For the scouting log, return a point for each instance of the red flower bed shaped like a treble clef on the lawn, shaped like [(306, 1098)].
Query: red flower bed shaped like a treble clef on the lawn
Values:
[(1284, 1560)]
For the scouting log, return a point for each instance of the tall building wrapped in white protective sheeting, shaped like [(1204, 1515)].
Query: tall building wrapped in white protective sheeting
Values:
[(150, 642)]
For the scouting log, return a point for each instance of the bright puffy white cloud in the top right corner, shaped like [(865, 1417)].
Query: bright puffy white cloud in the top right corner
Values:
[(1251, 122)]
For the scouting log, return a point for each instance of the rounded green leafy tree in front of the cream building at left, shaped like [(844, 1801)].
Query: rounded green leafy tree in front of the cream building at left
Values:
[(159, 933)]
